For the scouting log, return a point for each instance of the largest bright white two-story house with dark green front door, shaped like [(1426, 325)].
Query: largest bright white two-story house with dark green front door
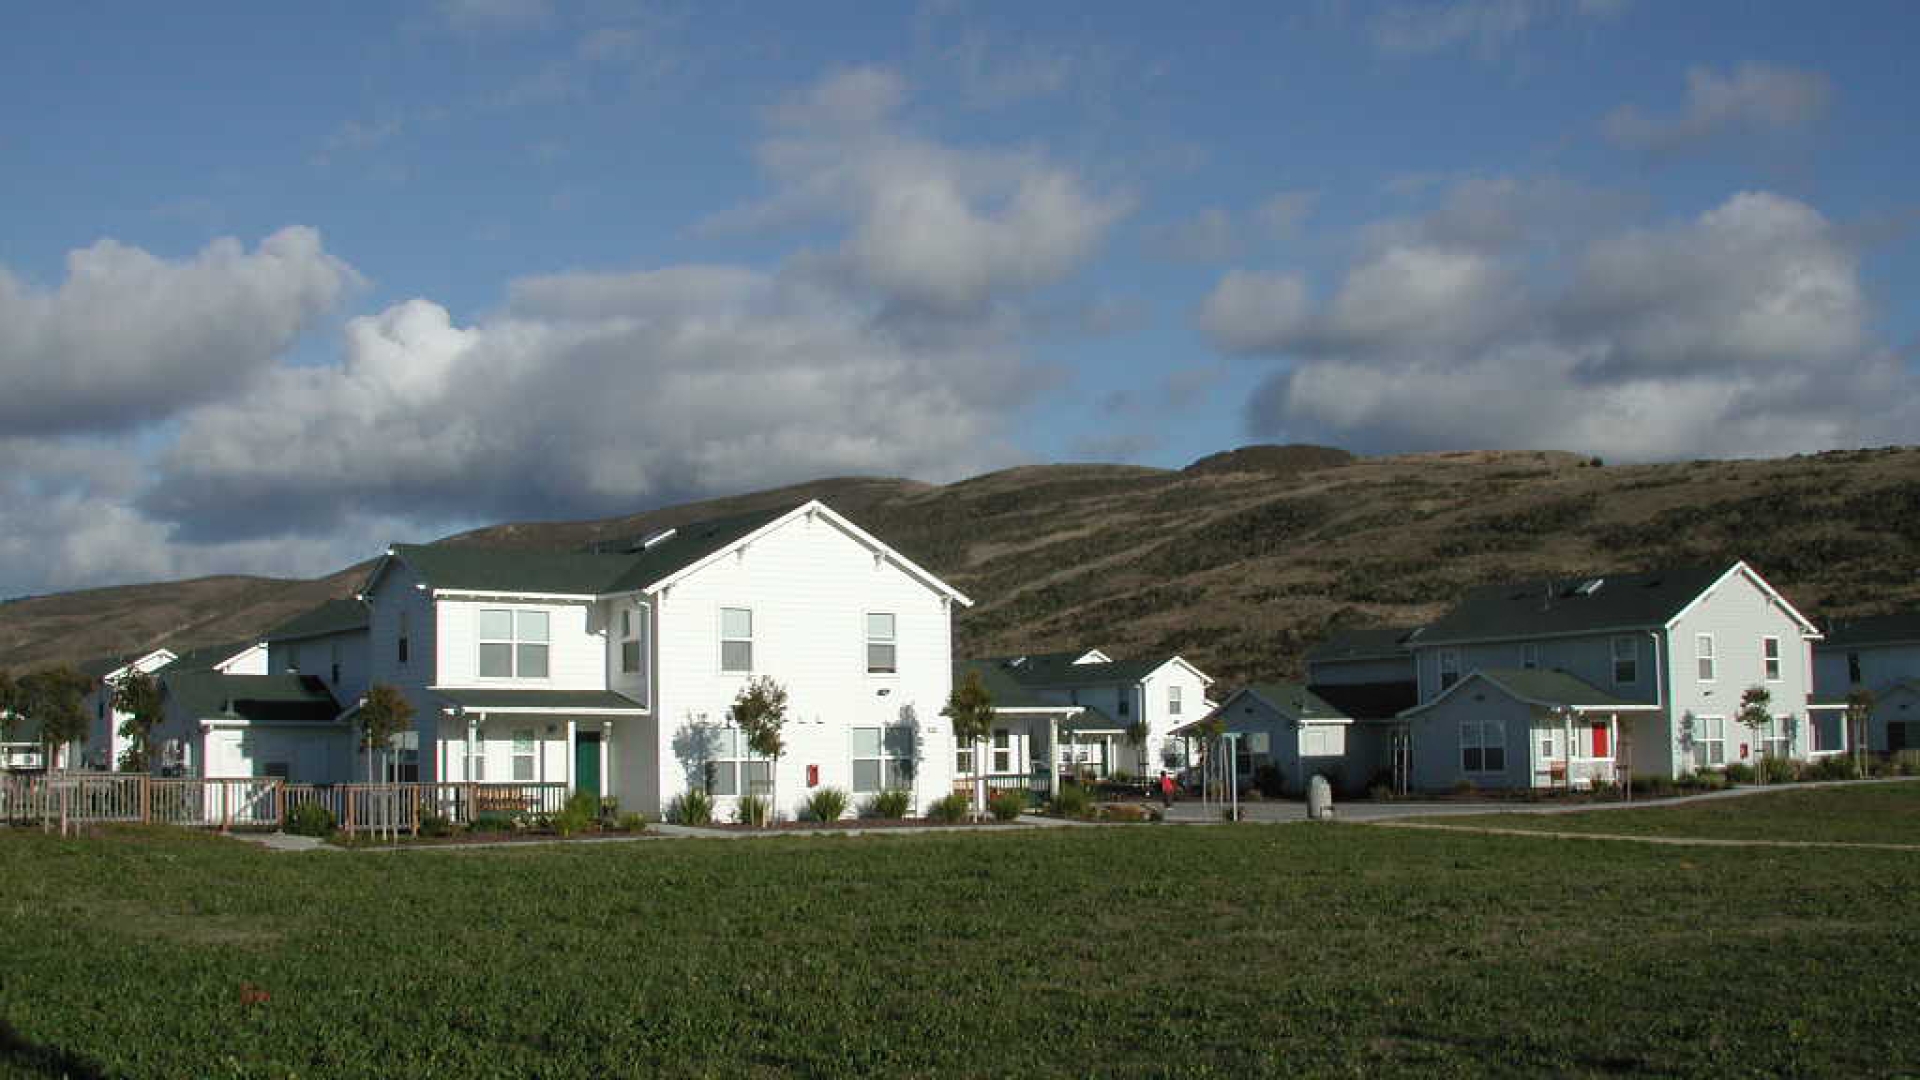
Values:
[(615, 674)]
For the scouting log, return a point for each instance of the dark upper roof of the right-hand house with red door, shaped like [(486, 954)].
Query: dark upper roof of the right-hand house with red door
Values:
[(1570, 606)]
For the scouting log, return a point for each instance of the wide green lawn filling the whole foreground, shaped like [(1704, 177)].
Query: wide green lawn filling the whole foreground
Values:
[(1093, 952)]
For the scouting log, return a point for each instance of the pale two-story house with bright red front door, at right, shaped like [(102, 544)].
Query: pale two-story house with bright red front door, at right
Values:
[(1562, 683)]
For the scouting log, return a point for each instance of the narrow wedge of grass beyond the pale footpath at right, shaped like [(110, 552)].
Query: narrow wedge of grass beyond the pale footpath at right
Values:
[(1867, 814)]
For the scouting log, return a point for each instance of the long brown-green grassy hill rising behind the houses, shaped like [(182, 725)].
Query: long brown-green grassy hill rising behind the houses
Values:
[(1237, 562)]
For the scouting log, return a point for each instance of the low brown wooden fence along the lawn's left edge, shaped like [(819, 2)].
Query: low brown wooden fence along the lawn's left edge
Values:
[(262, 802)]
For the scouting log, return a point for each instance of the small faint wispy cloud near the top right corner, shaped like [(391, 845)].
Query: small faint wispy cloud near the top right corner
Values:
[(1750, 101)]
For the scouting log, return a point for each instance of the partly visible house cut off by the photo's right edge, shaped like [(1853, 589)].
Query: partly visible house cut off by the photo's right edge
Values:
[(1881, 654)]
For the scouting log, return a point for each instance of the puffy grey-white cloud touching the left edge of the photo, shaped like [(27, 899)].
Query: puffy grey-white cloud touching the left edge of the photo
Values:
[(130, 337)]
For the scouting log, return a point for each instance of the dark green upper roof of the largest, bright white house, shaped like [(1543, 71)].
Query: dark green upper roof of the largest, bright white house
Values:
[(577, 574)]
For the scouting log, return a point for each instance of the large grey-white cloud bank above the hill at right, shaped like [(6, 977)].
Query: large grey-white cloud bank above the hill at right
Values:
[(1744, 331)]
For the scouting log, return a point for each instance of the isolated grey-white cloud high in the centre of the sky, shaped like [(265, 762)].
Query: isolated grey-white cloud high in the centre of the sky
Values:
[(928, 226)]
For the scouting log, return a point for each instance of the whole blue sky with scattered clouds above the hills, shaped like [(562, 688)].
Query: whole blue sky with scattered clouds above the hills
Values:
[(285, 283)]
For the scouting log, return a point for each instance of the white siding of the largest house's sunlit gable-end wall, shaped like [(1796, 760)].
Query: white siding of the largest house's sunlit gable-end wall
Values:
[(809, 587)]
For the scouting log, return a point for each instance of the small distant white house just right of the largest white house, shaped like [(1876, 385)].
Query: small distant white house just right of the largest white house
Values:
[(1078, 714)]
